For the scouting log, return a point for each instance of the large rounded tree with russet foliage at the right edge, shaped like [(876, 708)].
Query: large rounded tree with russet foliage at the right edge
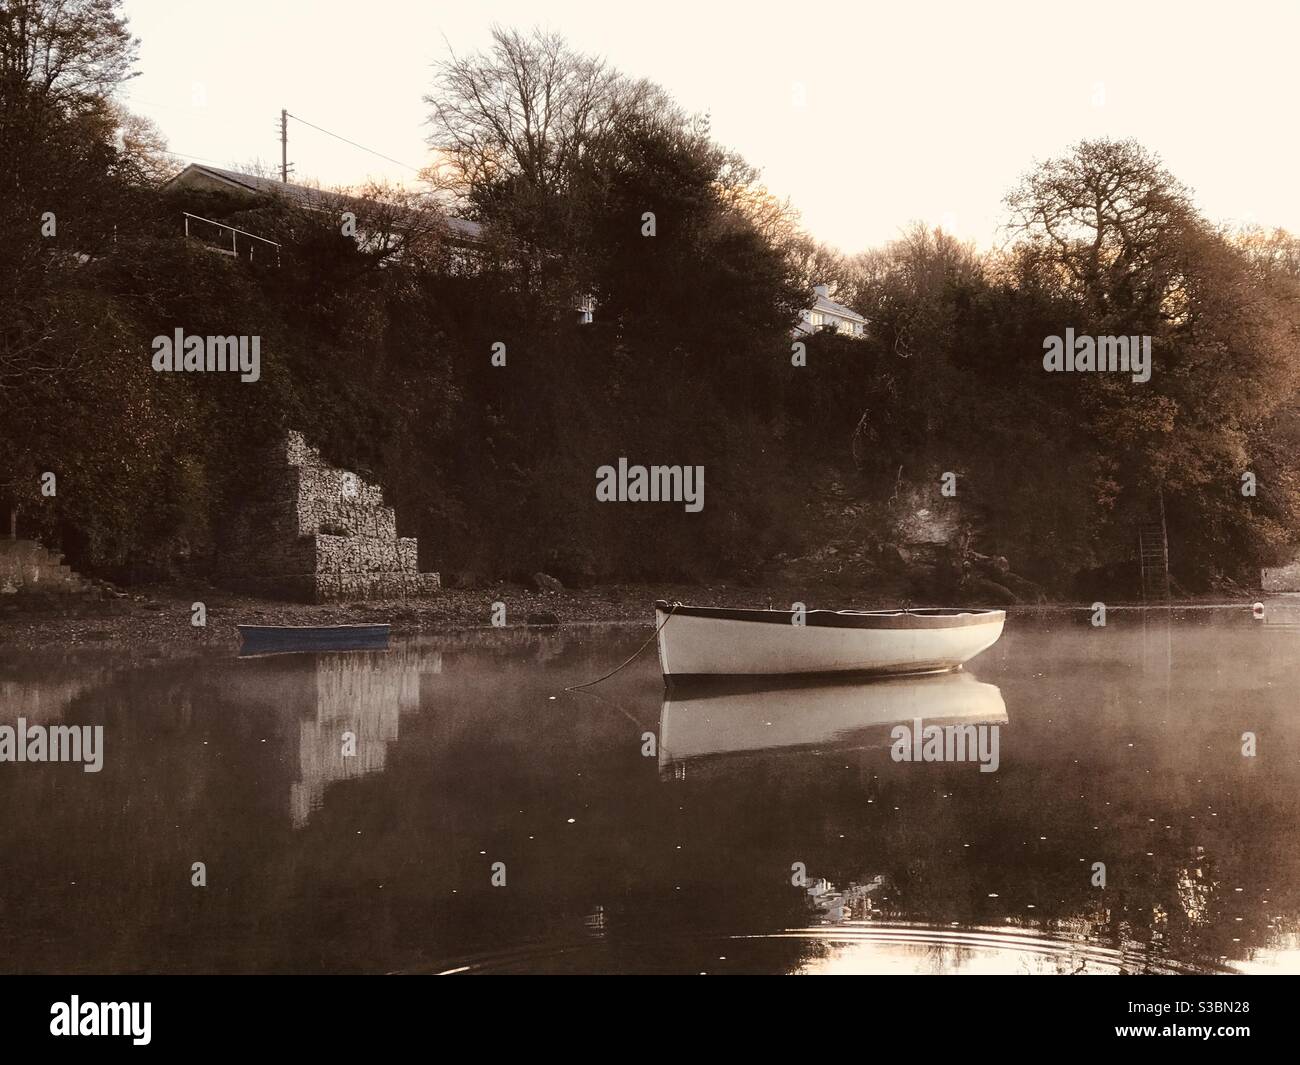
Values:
[(1113, 236)]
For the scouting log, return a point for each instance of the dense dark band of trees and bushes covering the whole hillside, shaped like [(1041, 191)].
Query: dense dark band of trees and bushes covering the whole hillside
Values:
[(380, 350)]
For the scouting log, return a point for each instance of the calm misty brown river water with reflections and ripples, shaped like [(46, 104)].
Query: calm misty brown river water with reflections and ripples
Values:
[(652, 832)]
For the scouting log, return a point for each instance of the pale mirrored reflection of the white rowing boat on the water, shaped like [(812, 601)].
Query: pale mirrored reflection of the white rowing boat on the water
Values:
[(710, 718)]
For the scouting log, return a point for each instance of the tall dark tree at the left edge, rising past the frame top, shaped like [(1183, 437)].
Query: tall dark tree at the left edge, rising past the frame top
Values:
[(63, 191)]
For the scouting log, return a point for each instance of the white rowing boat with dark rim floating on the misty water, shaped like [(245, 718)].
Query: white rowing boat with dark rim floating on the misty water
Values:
[(725, 642)]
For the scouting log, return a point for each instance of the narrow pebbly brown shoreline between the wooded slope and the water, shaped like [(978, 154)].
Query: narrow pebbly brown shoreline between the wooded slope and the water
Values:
[(163, 616)]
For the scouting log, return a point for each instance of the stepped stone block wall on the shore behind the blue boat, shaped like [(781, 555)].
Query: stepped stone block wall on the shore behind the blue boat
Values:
[(314, 532)]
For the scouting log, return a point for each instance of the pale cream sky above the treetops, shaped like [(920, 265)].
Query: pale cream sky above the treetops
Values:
[(866, 115)]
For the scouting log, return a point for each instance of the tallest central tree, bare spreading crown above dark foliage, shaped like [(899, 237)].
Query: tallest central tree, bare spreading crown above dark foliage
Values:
[(591, 184)]
